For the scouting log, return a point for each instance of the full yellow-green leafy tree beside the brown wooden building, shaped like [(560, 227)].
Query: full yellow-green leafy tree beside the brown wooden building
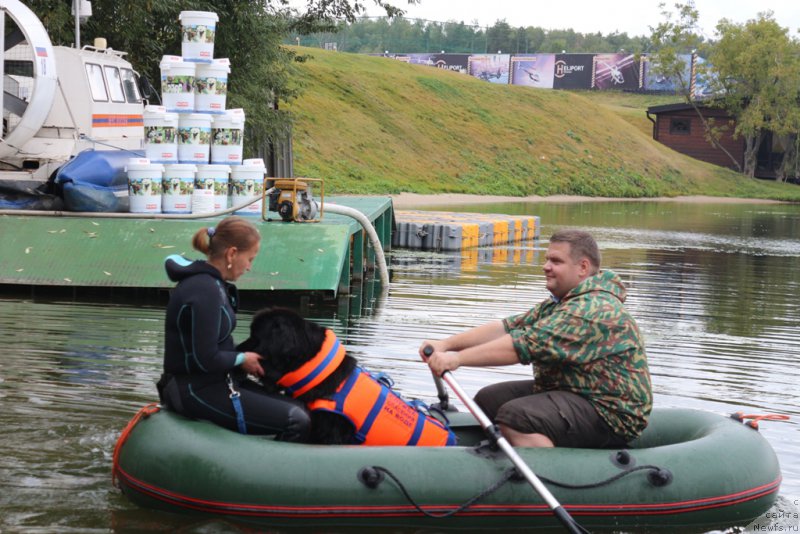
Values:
[(756, 69)]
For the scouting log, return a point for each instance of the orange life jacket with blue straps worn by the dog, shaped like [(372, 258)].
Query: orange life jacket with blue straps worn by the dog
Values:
[(379, 415)]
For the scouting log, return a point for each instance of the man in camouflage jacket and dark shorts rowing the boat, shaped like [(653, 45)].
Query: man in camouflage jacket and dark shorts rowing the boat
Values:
[(591, 384)]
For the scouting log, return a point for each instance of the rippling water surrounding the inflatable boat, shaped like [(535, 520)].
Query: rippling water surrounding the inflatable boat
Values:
[(713, 287)]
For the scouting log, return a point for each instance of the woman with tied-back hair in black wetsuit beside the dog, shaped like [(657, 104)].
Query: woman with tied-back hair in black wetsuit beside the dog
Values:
[(204, 375)]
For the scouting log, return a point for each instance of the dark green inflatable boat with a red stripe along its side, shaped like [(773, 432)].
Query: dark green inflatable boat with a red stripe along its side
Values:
[(690, 471)]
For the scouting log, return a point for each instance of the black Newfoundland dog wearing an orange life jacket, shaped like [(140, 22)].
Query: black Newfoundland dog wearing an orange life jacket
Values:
[(347, 405)]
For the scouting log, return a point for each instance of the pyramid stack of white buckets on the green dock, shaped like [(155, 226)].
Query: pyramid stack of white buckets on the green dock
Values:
[(192, 138)]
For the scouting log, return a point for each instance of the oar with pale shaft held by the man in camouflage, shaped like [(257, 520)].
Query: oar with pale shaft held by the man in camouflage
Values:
[(494, 434)]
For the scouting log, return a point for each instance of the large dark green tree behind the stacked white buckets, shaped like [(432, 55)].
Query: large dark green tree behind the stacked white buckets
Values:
[(250, 35)]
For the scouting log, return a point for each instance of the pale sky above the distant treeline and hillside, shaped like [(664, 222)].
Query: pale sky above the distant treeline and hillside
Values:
[(633, 17)]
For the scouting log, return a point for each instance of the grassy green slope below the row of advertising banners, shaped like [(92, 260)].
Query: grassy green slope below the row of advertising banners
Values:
[(370, 125)]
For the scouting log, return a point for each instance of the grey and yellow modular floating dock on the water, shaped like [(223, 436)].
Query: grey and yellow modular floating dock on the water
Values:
[(440, 230)]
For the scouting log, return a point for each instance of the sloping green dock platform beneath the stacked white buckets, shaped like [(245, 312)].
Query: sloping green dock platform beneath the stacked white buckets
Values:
[(319, 258)]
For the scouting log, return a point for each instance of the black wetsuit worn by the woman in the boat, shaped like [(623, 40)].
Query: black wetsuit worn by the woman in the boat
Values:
[(200, 355)]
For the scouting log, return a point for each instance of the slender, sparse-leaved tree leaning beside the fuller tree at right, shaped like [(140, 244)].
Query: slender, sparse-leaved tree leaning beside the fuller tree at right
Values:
[(671, 41)]
